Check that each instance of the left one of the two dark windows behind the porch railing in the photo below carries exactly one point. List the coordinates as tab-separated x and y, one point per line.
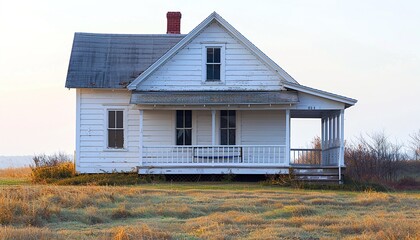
183	127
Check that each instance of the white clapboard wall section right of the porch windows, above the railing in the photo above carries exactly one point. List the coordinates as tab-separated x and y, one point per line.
263	127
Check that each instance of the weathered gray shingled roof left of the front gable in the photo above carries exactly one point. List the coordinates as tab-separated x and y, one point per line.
114	60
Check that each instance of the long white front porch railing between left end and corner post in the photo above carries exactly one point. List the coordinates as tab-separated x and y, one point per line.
215	155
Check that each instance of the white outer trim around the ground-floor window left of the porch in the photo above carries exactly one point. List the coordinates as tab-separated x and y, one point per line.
125	127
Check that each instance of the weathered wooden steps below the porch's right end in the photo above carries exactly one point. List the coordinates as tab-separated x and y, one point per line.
316	174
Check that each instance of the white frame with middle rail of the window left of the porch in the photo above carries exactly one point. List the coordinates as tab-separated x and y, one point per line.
106	129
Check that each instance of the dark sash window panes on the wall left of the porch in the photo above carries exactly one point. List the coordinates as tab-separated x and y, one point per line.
115	129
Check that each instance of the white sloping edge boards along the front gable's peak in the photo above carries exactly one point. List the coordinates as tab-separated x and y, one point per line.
195	32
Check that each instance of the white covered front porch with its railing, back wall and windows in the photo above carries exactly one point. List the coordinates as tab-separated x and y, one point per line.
203	138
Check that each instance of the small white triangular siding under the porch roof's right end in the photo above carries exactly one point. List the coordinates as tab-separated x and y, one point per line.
307	101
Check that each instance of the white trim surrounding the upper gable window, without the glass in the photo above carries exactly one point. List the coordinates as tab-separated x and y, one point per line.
204	47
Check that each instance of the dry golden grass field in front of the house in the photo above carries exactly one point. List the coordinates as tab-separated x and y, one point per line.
204	211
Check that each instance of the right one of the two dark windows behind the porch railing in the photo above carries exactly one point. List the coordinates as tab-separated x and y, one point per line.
227	127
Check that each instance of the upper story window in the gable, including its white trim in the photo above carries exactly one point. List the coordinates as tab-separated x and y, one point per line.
213	63
